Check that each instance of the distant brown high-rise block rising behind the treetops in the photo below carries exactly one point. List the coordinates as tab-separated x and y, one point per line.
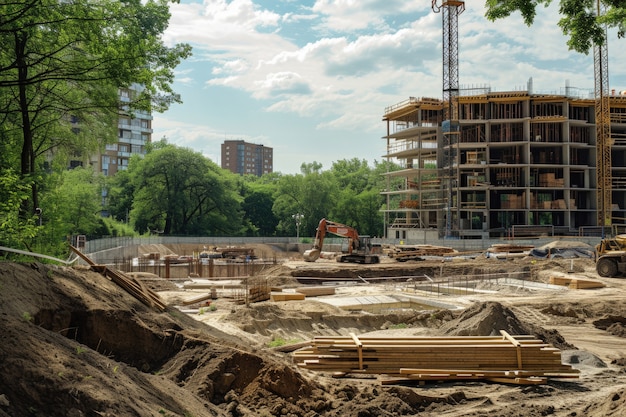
242	157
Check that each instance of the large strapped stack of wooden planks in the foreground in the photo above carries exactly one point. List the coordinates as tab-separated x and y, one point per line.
515	359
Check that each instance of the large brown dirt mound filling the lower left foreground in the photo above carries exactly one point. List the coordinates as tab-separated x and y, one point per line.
78	345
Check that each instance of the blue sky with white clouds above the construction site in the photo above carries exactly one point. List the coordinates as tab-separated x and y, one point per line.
312	79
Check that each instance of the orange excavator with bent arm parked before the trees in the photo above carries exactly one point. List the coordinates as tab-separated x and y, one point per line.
359	247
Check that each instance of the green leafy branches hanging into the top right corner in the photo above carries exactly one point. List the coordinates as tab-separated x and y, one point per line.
579	18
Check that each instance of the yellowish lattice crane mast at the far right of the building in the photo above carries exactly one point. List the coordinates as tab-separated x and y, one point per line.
603	129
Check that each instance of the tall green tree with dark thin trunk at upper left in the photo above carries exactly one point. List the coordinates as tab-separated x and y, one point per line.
61	62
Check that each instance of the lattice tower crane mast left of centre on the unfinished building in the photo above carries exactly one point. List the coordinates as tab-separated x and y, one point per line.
450	11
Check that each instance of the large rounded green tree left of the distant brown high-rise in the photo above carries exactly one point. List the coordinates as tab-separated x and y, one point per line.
179	191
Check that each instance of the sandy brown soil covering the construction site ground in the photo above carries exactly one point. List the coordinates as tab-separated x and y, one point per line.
75	344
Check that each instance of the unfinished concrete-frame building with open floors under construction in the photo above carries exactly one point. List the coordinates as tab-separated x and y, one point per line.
515	164
